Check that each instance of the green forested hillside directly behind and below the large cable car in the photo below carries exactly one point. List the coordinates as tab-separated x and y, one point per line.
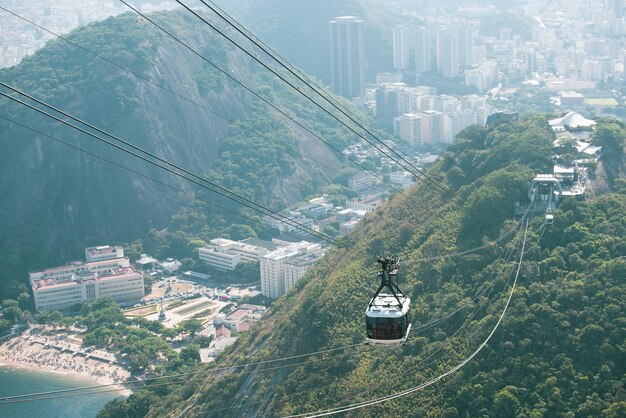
558	352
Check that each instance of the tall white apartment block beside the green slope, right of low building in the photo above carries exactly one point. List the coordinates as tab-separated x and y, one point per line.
280	270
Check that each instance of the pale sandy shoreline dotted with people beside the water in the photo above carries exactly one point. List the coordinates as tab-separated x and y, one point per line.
23	352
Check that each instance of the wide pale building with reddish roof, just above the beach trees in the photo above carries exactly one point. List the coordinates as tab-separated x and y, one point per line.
62	287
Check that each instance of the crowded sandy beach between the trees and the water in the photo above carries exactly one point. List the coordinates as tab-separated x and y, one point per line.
42	353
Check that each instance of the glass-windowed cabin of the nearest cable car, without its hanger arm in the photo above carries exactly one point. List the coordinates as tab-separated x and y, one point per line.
388	322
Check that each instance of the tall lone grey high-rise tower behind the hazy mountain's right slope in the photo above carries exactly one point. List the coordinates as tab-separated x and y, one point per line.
346	56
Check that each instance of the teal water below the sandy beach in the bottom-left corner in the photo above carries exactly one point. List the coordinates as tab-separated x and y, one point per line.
21	381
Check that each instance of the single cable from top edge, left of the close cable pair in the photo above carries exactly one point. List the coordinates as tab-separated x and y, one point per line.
251	91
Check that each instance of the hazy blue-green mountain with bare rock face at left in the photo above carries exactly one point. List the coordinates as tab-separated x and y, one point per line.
59	200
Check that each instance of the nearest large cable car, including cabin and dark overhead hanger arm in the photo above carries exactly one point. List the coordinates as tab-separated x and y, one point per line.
388	318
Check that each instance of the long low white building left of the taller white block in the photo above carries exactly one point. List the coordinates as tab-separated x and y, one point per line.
225	254
